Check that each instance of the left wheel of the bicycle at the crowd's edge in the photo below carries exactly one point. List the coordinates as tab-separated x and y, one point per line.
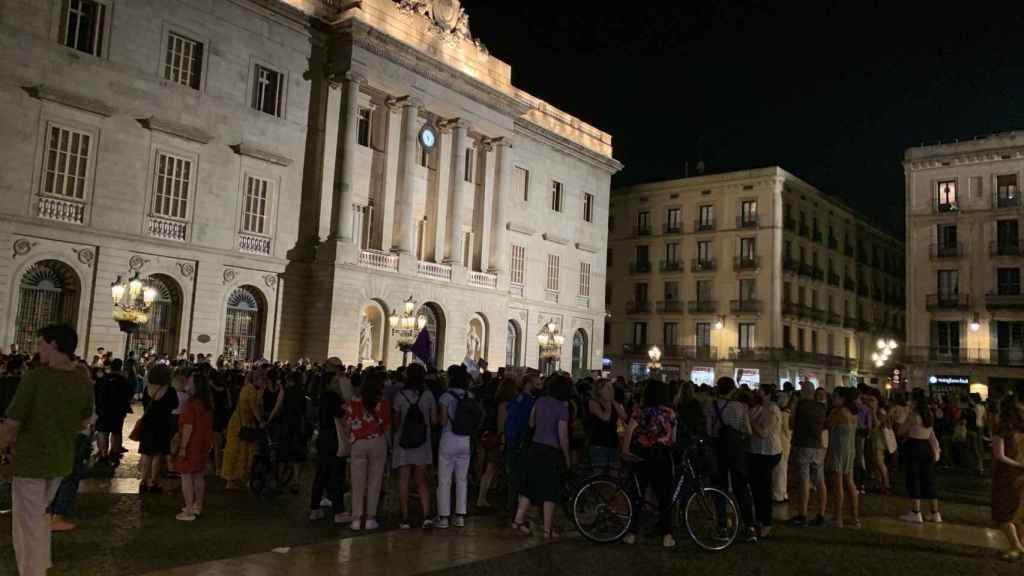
603	511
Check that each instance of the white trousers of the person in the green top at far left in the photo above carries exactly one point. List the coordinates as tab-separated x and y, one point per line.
32	527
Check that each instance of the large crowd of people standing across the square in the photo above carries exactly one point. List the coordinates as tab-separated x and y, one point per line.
354	426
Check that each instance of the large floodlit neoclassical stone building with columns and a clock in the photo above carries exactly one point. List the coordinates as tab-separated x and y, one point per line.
286	174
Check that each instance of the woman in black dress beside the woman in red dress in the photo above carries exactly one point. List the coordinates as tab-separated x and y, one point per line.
157	427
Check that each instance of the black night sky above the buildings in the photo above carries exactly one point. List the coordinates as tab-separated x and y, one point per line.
833	92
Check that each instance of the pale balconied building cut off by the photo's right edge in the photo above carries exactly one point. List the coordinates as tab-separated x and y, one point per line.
964	263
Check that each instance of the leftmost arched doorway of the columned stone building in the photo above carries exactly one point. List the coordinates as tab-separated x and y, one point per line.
49	295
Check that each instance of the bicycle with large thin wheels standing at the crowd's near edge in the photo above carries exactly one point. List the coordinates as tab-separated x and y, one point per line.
605	508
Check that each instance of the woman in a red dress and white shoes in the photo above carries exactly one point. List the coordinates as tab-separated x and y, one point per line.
196	426
